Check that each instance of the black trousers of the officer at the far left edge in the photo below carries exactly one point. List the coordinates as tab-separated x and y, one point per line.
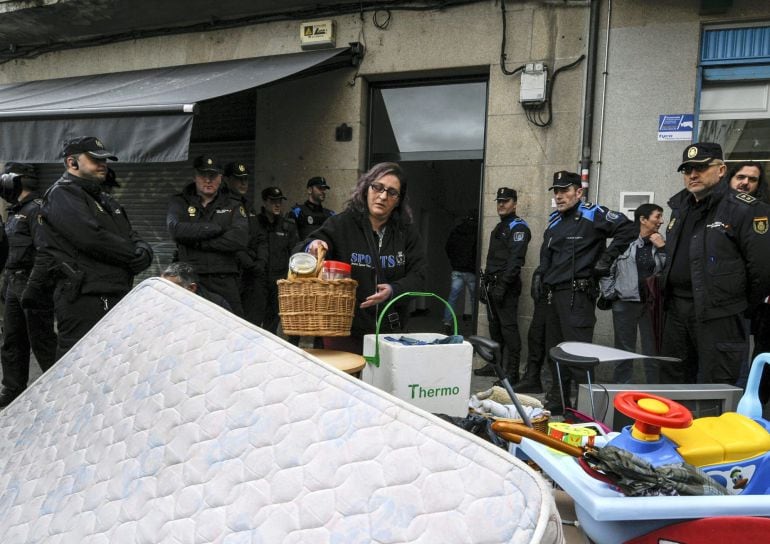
24	330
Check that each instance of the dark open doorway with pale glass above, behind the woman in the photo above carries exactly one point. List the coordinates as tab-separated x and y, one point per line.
436	131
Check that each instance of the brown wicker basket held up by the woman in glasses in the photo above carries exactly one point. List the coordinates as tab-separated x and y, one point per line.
316	307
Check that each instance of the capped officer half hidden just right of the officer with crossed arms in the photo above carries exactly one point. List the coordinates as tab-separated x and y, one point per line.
253	260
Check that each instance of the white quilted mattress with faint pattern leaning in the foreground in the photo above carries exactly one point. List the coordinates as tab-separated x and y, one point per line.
175	421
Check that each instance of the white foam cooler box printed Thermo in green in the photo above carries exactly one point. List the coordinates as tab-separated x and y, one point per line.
434	377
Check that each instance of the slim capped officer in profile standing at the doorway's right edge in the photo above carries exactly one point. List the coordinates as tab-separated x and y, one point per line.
507	250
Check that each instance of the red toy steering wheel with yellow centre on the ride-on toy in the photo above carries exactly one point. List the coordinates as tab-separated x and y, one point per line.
652	412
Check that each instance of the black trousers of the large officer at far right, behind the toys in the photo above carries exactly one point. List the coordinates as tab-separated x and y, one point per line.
711	351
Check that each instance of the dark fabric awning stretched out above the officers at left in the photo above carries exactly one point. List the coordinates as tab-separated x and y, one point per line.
143	115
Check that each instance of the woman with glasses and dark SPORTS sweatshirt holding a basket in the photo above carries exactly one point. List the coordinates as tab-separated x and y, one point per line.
375	234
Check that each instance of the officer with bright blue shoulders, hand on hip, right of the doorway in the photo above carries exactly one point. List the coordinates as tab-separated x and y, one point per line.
573	254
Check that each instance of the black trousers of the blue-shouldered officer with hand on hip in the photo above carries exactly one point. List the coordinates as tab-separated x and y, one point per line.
570	317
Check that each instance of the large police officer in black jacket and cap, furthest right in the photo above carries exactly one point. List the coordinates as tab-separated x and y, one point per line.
718	257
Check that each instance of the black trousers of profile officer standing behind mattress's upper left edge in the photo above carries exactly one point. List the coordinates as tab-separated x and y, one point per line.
77	314
